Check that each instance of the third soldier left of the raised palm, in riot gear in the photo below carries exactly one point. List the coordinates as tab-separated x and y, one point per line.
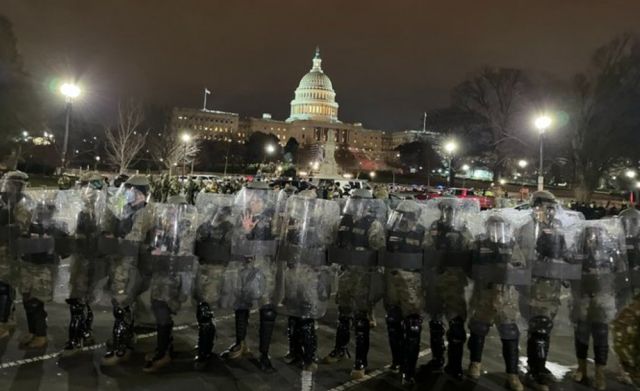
125	228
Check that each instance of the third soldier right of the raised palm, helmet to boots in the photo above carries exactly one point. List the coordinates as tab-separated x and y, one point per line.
404	296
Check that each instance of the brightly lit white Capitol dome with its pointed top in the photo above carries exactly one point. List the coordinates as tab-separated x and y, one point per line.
315	98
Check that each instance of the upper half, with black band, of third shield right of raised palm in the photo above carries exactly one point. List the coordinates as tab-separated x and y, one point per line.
406	231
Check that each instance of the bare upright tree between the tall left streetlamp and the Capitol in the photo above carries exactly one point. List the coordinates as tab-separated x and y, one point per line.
126	139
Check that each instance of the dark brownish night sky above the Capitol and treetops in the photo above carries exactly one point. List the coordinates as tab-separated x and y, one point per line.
388	62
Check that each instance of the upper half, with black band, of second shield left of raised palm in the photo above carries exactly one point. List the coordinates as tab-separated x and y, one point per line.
171	245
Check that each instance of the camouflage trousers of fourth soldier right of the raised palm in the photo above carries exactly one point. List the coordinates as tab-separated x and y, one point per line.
445	294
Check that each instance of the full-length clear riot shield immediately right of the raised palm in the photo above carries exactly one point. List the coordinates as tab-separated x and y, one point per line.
307	233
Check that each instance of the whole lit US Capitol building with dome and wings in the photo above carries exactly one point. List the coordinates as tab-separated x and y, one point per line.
314	113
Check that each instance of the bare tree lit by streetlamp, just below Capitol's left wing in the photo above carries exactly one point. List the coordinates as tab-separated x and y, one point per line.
171	150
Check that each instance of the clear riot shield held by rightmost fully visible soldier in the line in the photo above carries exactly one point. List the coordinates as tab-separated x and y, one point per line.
599	246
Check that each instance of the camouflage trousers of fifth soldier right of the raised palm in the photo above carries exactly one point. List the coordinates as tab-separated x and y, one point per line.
494	304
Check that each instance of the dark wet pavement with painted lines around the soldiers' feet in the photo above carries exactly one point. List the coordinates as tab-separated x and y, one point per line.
46	370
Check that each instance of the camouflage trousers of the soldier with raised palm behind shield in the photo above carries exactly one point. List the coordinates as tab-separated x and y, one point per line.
249	283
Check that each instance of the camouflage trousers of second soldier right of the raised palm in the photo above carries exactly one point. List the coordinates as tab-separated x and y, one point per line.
359	289
